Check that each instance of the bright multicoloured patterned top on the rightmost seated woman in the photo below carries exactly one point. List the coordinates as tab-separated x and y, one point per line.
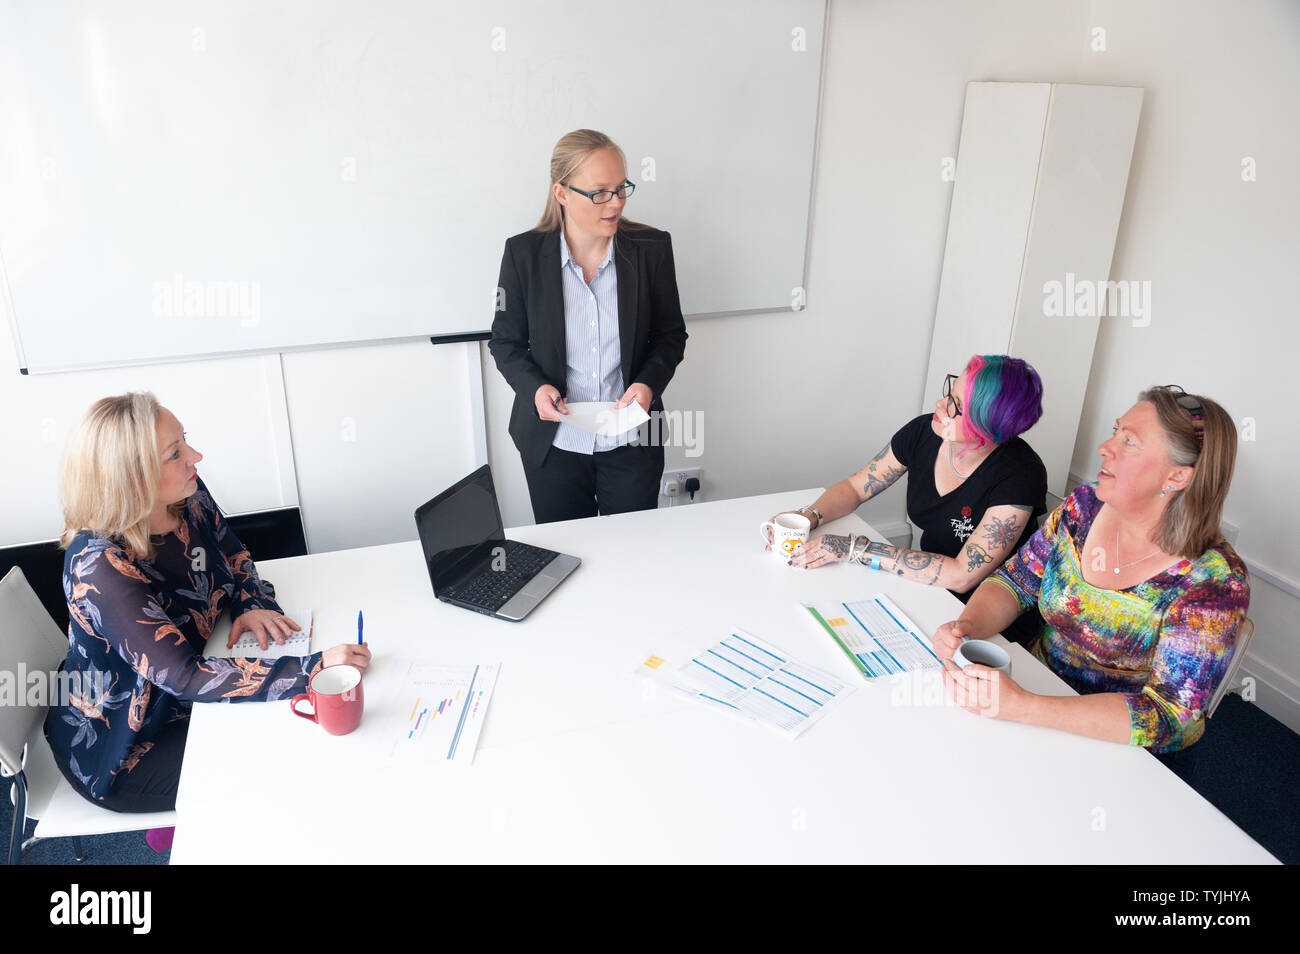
1164	644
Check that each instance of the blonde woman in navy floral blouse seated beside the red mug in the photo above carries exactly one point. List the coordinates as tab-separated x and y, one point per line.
150	567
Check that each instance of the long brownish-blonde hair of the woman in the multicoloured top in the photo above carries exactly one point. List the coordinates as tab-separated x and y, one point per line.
1190	524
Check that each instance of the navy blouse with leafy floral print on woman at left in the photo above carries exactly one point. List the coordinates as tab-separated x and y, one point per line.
137	634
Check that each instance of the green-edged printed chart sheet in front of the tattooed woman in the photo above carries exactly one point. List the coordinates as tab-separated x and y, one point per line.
876	635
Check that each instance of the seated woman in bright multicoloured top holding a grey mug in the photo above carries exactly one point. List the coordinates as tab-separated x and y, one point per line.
1141	595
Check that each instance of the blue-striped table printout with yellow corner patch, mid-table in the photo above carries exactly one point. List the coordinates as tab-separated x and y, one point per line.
747	678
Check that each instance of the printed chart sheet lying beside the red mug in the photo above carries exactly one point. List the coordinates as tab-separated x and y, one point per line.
441	712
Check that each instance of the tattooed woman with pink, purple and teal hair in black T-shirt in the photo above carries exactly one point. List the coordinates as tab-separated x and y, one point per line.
976	489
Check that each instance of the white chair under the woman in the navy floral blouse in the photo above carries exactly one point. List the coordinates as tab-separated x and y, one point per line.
29	638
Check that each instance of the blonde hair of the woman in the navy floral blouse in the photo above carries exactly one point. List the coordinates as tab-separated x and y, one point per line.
111	474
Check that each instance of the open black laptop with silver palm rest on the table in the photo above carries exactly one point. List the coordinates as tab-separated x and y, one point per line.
473	565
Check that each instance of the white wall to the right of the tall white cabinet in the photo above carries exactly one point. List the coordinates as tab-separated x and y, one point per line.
1220	253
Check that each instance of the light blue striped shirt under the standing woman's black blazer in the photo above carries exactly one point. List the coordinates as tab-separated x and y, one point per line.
593	352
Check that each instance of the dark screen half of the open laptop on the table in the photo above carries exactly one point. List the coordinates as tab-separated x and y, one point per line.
458	527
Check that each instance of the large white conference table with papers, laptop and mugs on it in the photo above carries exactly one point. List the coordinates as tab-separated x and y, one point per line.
584	761
